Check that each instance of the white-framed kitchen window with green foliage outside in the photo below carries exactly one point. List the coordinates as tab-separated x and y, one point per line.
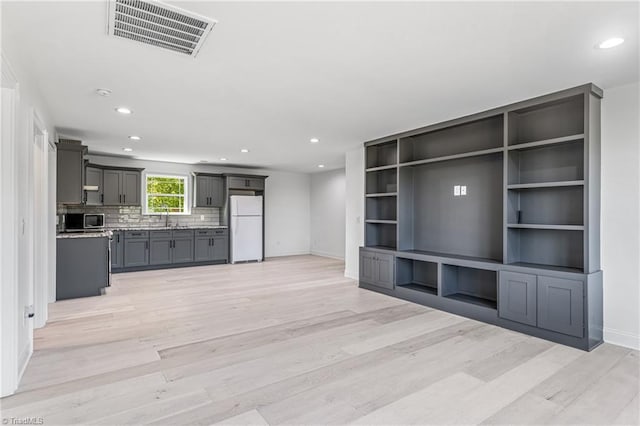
166	194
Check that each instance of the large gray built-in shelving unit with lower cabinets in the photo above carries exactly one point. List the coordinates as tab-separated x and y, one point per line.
521	248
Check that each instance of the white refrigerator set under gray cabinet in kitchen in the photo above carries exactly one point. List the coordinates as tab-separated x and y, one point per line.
246	228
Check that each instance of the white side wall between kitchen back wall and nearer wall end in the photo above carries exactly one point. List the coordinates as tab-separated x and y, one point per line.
328	213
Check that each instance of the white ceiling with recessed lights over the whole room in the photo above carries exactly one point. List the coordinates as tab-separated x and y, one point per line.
273	75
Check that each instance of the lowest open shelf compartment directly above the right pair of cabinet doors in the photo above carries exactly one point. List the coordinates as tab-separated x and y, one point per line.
553	248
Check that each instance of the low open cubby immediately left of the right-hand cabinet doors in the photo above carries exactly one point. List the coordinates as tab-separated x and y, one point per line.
470	285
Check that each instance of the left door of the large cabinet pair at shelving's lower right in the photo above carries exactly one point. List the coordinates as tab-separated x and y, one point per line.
517	294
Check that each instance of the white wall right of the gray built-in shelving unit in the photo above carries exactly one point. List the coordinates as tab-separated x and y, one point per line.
621	215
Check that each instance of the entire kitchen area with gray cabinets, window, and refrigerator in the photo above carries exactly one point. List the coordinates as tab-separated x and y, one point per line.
113	219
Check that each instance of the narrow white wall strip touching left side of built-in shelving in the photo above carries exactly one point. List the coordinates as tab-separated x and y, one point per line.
354	210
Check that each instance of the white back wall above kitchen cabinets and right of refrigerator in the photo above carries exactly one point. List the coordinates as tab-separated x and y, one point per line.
287	206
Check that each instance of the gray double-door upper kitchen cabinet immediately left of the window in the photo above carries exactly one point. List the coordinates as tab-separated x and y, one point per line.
121	187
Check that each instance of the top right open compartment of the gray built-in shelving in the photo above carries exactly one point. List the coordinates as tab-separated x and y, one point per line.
549	120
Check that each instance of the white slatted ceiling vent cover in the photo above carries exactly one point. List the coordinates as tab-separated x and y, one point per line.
159	24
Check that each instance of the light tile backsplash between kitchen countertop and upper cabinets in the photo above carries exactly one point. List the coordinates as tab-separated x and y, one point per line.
117	217
